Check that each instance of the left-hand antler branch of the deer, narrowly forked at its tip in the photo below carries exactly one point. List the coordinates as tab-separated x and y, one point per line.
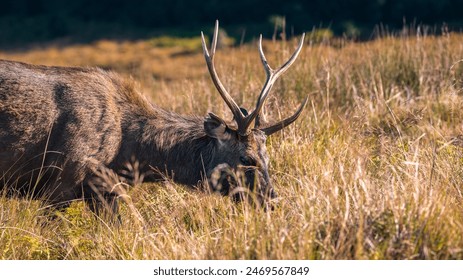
209	56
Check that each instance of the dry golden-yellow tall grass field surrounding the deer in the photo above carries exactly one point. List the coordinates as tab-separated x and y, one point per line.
373	169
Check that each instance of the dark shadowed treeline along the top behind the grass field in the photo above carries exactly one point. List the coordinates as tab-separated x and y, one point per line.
29	21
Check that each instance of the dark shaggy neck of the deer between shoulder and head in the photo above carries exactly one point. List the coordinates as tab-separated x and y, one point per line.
172	145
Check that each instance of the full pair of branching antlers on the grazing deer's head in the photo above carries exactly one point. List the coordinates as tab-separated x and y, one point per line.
244	121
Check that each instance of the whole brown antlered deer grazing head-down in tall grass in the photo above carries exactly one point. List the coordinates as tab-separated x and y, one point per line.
60	127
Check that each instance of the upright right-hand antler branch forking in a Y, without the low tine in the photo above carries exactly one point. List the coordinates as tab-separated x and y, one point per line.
272	76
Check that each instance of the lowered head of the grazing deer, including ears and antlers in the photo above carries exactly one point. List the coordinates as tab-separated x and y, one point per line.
241	144
